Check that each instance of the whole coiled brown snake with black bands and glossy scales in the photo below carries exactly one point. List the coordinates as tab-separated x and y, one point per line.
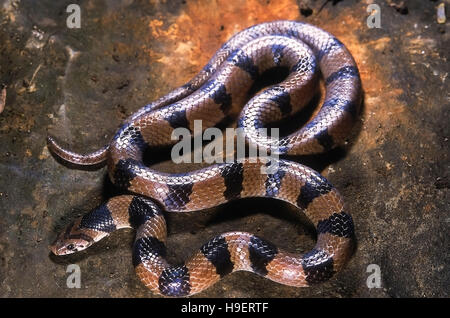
310	56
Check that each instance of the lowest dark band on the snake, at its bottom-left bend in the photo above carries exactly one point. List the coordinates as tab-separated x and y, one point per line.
174	281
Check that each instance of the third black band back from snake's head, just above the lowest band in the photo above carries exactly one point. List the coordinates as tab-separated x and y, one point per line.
146	249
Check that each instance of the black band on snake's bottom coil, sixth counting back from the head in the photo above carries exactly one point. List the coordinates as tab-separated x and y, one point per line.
261	253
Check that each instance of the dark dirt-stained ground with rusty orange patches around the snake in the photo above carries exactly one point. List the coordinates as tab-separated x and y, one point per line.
79	84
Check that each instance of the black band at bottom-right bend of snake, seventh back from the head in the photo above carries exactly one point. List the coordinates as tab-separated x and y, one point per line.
318	266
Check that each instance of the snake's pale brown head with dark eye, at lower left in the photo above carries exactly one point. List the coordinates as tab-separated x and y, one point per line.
72	240
